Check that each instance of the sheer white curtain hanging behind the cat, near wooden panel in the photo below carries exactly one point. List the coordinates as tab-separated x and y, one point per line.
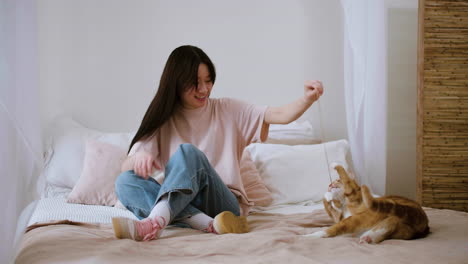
365	88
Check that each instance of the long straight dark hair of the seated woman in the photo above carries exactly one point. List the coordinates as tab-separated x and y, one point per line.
180	74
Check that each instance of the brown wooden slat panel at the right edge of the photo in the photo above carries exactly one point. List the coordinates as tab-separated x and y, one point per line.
443	104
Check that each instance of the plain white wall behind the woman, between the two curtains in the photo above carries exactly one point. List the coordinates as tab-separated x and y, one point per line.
100	61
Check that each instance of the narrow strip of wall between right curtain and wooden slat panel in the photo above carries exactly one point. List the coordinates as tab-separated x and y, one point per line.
402	98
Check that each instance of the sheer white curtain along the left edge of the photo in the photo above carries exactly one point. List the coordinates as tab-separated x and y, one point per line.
20	139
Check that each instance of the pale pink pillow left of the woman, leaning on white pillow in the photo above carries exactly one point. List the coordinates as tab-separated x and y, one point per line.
101	167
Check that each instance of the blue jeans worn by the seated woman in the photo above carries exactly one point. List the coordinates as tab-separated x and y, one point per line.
192	186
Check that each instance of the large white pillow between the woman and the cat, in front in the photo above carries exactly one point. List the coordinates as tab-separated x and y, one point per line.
298	173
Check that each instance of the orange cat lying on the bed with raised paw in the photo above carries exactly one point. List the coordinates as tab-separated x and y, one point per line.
383	218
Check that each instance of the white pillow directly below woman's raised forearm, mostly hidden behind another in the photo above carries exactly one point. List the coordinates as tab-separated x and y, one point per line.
295	133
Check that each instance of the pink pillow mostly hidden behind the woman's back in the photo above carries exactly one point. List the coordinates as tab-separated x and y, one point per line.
255	188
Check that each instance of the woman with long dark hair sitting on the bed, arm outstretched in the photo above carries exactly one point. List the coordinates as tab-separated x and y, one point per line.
198	142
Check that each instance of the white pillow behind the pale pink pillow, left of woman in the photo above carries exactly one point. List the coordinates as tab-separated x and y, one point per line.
65	155
